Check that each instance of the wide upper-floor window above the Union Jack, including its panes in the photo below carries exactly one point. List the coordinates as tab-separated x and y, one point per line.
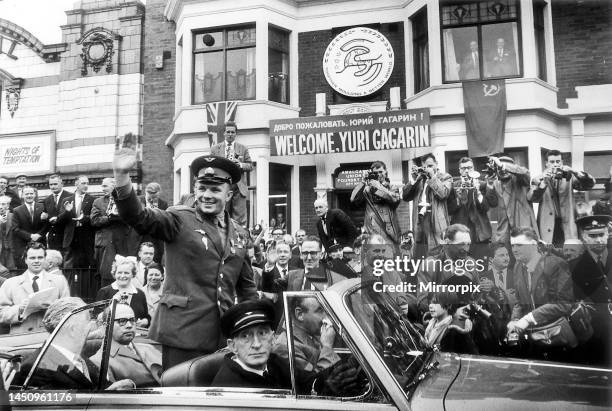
224	65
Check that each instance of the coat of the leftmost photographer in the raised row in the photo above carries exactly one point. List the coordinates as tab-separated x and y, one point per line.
383	205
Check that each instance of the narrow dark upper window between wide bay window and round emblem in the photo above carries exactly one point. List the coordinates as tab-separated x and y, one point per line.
278	65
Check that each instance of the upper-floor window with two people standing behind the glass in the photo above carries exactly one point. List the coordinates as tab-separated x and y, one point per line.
480	40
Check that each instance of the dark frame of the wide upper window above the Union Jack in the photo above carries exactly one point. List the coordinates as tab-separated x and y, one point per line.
195	51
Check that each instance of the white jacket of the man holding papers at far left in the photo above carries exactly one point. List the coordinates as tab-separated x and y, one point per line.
16	289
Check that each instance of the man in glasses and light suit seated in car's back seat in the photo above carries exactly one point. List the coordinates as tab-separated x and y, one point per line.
138	362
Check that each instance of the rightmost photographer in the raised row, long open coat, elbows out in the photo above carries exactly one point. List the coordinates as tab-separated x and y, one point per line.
554	191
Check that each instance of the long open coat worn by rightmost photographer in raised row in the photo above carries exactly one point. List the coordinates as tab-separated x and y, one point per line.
564	191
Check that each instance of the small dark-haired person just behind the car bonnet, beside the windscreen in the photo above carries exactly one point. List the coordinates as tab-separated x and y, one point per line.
450	334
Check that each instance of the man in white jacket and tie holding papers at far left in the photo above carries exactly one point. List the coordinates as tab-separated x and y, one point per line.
15	293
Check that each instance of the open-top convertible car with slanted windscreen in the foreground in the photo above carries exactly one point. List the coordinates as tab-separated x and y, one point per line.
397	371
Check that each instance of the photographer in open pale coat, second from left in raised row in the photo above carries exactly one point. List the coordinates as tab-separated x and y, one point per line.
429	193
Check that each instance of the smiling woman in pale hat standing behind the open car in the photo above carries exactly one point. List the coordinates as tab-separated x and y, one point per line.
124	270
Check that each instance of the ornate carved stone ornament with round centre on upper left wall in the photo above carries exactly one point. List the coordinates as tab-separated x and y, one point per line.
98	50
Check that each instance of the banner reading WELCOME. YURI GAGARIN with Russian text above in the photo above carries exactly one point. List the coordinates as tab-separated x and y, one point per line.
386	130
